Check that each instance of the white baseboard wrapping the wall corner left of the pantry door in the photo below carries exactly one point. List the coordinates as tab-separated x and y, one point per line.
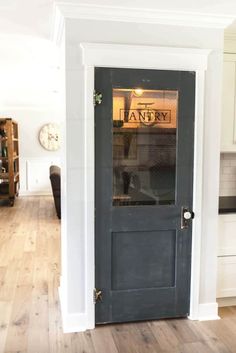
72	322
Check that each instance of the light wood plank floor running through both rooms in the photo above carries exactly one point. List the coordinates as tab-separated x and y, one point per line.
30	320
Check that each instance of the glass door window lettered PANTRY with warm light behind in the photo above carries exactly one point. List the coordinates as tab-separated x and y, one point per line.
144	146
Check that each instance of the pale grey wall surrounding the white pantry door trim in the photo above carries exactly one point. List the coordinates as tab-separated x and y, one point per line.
73	281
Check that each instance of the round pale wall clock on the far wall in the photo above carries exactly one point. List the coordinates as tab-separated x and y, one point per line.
49	136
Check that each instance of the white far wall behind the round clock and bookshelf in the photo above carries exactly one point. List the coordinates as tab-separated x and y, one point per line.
30	93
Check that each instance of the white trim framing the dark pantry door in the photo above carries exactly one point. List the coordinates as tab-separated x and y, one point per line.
144	57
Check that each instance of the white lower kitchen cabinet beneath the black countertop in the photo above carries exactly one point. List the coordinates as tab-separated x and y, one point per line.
226	280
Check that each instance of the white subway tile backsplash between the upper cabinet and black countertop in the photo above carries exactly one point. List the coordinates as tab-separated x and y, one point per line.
228	174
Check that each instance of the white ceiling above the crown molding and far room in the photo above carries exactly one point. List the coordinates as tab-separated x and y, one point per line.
34	17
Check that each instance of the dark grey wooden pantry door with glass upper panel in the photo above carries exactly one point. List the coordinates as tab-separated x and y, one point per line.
144	177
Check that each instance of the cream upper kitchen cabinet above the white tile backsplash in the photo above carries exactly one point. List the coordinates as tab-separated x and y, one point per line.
228	123
